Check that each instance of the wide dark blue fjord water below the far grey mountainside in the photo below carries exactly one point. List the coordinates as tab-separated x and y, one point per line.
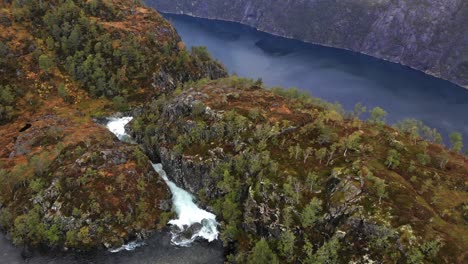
331	74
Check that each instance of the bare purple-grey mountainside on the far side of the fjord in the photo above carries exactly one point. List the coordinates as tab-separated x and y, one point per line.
428	35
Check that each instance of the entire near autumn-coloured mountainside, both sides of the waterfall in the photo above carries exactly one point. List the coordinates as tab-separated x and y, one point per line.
291	178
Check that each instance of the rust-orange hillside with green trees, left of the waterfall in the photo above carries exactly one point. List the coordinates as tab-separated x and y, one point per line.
66	181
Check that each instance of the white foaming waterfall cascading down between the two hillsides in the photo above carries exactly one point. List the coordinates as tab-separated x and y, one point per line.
192	222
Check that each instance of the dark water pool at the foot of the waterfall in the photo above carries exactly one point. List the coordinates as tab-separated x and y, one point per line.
157	246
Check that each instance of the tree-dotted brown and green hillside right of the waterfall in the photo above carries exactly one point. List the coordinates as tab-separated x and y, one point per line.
292	175
